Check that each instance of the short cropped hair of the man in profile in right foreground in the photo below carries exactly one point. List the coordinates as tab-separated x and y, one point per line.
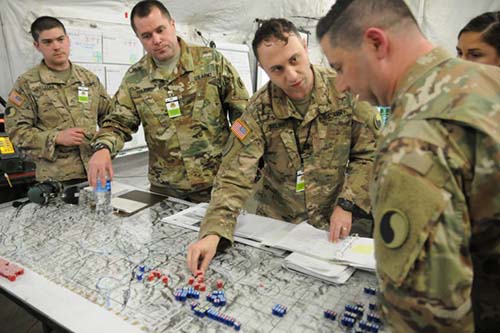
347	20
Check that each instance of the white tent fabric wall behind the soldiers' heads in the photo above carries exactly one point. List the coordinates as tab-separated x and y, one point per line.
230	21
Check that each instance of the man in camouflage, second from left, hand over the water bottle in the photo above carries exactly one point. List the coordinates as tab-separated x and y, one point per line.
183	96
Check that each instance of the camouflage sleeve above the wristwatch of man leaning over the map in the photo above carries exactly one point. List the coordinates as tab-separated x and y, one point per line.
366	125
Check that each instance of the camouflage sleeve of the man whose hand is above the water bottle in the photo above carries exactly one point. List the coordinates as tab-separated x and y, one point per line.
122	121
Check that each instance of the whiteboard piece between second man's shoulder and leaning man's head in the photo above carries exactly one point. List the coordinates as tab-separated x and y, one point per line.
237	54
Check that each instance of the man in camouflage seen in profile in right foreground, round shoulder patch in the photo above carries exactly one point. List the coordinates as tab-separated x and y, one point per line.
435	193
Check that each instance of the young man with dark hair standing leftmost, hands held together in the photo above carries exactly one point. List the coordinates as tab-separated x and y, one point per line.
54	108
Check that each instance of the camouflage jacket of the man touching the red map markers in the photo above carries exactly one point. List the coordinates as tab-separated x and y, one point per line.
334	131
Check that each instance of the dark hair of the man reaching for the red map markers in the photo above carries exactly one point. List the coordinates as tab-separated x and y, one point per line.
273	28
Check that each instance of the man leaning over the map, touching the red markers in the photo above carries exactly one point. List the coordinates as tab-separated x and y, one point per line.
316	146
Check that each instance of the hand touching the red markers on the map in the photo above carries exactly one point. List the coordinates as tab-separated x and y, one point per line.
201	253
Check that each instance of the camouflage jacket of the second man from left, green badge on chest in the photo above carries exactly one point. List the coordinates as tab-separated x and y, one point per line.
185	151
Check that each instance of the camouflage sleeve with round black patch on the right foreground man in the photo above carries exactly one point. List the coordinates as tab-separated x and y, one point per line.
430	163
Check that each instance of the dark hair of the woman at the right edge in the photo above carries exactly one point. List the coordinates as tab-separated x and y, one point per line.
488	24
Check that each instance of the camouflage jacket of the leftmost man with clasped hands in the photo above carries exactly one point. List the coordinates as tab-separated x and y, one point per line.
41	105
